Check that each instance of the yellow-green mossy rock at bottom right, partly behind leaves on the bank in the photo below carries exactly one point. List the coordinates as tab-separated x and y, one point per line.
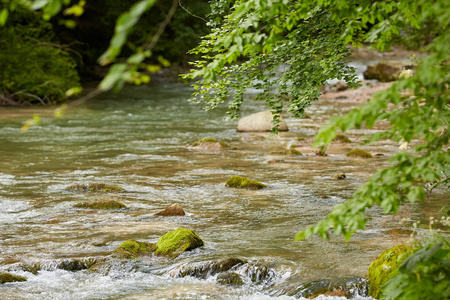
385	267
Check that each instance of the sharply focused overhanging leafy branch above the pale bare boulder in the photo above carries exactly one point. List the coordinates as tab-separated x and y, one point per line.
279	48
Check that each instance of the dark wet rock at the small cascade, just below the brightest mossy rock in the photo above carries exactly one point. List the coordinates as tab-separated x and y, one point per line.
209	268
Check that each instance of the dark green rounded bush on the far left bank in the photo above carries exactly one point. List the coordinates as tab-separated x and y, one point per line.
34	69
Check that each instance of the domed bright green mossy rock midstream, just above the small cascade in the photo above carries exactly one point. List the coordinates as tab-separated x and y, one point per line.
176	242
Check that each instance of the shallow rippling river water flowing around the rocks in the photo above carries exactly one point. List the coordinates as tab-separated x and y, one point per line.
137	139
